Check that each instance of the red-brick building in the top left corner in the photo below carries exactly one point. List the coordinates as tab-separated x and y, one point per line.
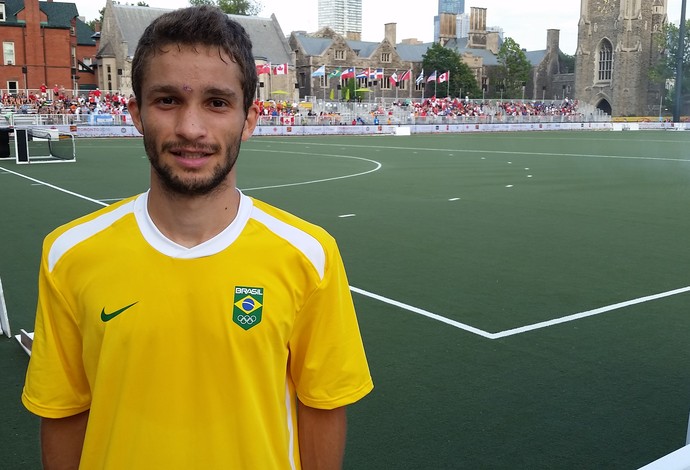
45	43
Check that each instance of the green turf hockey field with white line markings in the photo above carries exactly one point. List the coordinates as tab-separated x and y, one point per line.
523	297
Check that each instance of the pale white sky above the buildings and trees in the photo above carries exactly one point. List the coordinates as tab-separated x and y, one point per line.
526	21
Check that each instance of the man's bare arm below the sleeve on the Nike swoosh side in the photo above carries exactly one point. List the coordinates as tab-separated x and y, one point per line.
62	440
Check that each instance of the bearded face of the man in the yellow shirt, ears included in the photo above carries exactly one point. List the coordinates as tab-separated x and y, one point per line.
192	118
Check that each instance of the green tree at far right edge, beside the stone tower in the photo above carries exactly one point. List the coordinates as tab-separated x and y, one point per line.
664	71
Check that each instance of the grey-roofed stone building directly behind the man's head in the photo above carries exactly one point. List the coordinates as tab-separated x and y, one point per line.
123	25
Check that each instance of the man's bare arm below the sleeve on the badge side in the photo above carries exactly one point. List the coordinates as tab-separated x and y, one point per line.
321	437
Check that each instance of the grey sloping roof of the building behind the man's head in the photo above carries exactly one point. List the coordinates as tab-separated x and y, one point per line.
268	40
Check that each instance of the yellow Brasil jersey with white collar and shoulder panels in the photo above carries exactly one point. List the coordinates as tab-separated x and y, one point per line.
192	358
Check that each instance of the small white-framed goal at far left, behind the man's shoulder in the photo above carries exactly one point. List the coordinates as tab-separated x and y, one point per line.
33	145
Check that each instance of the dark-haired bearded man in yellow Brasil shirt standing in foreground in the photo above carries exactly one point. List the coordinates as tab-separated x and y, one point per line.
192	327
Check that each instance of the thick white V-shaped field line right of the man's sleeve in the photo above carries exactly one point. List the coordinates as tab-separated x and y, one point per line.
522	329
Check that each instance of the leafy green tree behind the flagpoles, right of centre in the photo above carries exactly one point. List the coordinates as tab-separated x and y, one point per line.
462	80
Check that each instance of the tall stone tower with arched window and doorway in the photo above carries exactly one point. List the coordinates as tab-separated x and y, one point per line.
616	49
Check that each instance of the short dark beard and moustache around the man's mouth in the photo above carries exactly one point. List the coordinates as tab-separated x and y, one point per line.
193	185
